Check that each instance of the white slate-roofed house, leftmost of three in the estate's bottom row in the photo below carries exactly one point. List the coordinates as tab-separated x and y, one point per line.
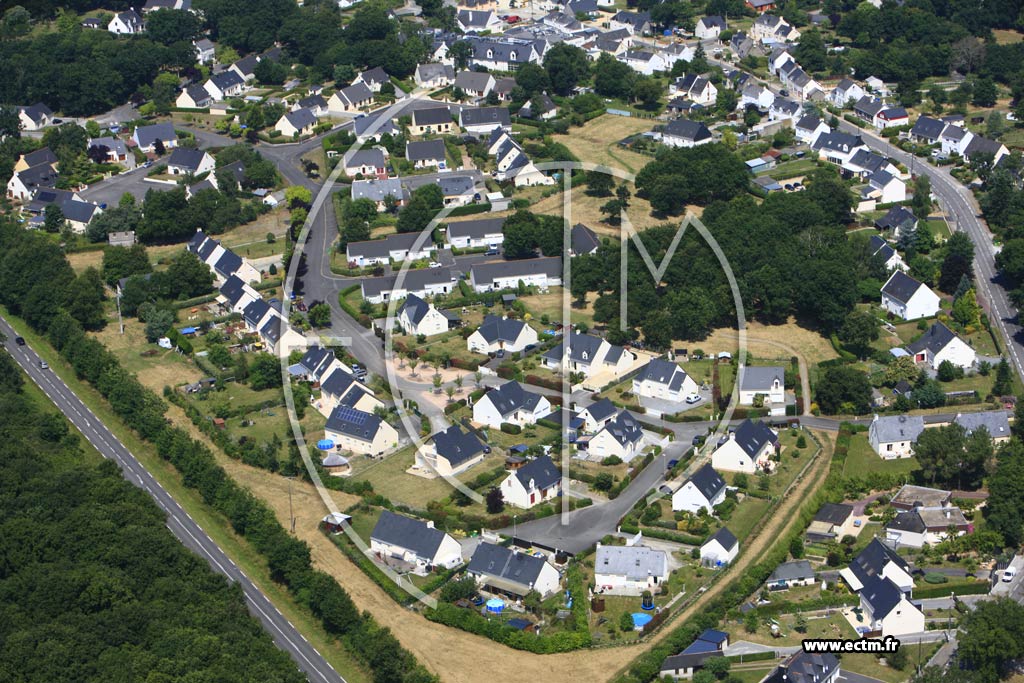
415	542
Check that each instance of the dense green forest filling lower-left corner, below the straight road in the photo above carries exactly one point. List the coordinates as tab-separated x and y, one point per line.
88	594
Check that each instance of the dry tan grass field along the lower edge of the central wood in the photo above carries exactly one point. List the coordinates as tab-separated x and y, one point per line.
767	343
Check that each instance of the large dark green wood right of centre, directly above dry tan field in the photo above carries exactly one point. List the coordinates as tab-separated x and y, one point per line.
802	266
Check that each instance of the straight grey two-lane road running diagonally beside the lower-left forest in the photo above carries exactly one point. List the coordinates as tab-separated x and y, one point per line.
189	533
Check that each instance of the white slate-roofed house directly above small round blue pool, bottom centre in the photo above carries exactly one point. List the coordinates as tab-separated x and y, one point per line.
508	572
